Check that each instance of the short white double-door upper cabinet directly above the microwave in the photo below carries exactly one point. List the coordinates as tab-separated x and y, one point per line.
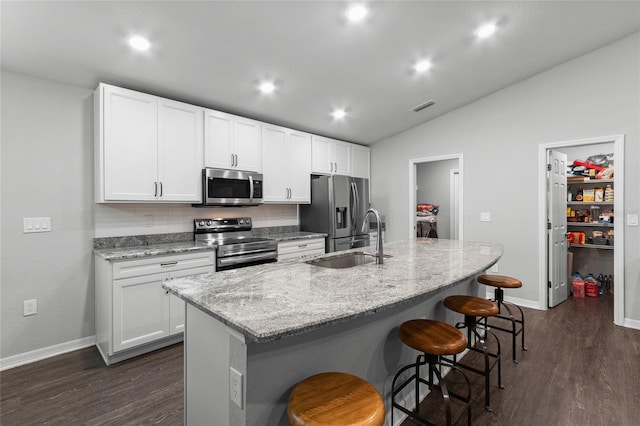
232	142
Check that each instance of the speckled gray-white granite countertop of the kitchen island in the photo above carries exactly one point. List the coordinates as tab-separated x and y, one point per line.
271	301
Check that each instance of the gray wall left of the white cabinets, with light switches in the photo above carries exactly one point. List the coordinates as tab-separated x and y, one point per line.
47	170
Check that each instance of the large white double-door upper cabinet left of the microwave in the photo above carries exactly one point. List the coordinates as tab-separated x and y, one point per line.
146	147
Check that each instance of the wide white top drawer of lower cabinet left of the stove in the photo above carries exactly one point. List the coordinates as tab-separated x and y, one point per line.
160	264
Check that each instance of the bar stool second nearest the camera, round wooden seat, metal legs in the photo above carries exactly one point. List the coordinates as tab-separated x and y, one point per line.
434	339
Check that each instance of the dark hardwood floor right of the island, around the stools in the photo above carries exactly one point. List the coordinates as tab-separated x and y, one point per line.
580	369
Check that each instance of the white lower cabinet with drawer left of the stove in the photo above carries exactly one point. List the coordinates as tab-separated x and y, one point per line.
134	314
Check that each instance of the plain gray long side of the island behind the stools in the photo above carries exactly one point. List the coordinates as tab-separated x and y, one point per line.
367	347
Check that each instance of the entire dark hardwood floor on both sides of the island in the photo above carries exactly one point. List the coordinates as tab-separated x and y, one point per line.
580	369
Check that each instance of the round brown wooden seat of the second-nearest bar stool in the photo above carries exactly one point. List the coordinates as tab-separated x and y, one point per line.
432	337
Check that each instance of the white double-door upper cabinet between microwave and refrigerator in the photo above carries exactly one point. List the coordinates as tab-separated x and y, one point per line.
286	165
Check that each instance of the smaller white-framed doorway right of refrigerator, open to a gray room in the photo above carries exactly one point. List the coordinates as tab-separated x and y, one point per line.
437	181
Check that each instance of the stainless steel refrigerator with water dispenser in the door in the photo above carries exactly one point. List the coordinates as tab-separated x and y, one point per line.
338	205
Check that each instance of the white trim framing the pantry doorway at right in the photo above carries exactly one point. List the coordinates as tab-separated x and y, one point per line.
618	211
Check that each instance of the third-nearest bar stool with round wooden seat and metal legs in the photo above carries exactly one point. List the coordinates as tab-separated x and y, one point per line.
474	308
